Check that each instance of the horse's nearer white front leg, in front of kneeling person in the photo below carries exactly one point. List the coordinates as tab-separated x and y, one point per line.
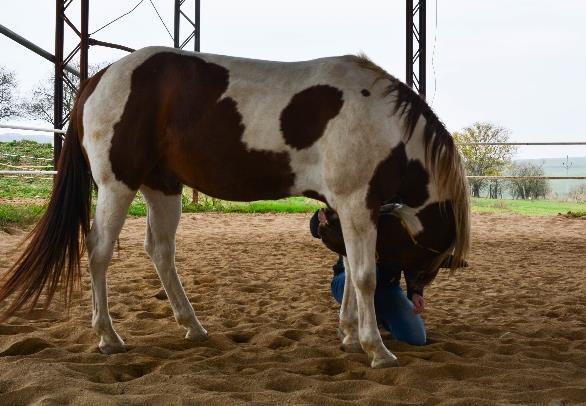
360	237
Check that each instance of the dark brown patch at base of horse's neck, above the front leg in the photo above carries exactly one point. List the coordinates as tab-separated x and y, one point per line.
397	176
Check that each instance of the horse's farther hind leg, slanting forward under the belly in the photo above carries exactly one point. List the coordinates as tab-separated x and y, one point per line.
163	216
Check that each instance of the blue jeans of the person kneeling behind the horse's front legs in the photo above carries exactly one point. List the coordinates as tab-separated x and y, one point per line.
394	311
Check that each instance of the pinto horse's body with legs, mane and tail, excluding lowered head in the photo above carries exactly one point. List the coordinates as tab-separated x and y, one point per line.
338	129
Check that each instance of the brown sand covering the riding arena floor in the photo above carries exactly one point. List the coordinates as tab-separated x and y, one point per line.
510	329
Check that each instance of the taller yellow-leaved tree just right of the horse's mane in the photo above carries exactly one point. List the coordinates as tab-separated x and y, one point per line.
484	160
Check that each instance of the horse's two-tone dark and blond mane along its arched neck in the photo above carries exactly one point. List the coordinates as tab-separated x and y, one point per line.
441	155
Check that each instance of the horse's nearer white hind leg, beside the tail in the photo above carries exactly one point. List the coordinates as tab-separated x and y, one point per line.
111	210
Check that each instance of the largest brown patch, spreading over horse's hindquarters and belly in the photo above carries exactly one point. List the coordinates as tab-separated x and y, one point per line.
191	134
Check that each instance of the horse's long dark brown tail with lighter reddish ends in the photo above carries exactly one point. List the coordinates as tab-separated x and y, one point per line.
56	243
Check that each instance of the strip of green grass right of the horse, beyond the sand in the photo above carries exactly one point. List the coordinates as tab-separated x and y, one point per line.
526	207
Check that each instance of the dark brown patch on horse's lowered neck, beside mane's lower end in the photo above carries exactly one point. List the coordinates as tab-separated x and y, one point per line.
439	229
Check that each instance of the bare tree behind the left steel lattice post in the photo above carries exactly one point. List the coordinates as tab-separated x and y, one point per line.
39	104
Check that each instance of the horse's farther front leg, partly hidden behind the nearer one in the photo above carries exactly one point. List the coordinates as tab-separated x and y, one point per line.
349	313
